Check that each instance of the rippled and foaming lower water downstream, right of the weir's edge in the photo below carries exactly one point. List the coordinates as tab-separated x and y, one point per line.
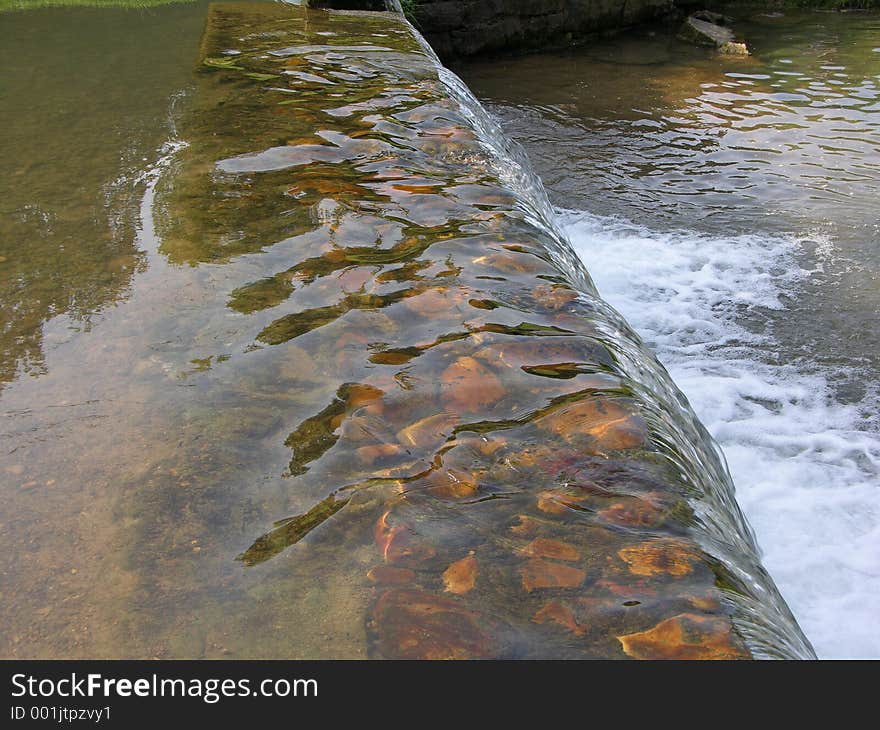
728	207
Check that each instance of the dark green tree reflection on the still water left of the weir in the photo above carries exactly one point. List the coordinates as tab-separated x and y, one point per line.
73	140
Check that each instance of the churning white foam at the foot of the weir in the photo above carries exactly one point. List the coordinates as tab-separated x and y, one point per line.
807	468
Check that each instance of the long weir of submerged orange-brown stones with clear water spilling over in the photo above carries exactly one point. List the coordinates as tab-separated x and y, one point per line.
484	460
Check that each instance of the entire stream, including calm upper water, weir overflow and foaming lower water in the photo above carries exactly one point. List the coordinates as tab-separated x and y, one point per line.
233	313
